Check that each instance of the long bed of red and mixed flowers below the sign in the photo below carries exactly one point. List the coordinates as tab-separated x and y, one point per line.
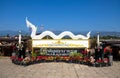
74	58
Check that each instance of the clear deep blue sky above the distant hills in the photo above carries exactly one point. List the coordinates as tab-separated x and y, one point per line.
72	15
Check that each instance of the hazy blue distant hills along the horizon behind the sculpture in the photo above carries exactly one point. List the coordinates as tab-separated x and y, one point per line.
93	33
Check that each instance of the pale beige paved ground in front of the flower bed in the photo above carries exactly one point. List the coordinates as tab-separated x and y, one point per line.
57	70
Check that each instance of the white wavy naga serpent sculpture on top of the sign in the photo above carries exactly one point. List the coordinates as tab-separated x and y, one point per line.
51	34
